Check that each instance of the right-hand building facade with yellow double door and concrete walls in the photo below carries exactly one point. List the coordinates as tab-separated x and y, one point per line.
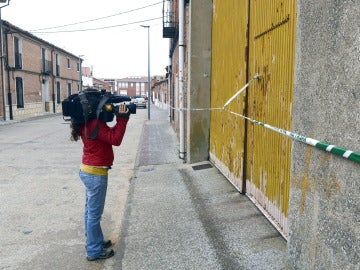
244	77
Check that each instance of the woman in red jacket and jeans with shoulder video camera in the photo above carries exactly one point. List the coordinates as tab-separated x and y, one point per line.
89	111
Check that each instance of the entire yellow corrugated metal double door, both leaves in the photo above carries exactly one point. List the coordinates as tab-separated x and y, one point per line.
267	28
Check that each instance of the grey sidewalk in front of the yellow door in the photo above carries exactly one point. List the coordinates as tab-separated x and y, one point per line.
186	216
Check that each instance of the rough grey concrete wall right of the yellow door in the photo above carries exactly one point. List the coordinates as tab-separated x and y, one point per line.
325	188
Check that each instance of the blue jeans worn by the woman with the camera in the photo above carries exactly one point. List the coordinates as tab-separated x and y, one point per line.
96	186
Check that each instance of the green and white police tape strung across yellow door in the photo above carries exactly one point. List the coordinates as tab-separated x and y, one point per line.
348	154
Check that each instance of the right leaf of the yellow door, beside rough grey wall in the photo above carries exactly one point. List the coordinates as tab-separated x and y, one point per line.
271	54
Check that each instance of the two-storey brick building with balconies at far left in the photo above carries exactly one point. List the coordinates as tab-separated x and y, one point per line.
37	75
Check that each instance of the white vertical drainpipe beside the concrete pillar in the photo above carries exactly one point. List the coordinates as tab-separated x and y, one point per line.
181	79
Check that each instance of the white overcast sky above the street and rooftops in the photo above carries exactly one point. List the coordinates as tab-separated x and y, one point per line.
107	33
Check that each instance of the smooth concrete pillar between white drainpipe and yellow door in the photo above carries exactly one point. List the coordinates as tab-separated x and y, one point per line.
198	89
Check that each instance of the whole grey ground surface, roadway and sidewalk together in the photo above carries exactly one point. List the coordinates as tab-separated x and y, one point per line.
160	212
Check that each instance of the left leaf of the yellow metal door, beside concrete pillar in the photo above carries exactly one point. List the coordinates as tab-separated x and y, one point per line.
229	68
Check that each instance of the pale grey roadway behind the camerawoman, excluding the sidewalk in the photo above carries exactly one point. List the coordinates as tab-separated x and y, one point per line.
42	197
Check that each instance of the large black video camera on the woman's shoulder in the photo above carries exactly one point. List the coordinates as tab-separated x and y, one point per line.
93	104
